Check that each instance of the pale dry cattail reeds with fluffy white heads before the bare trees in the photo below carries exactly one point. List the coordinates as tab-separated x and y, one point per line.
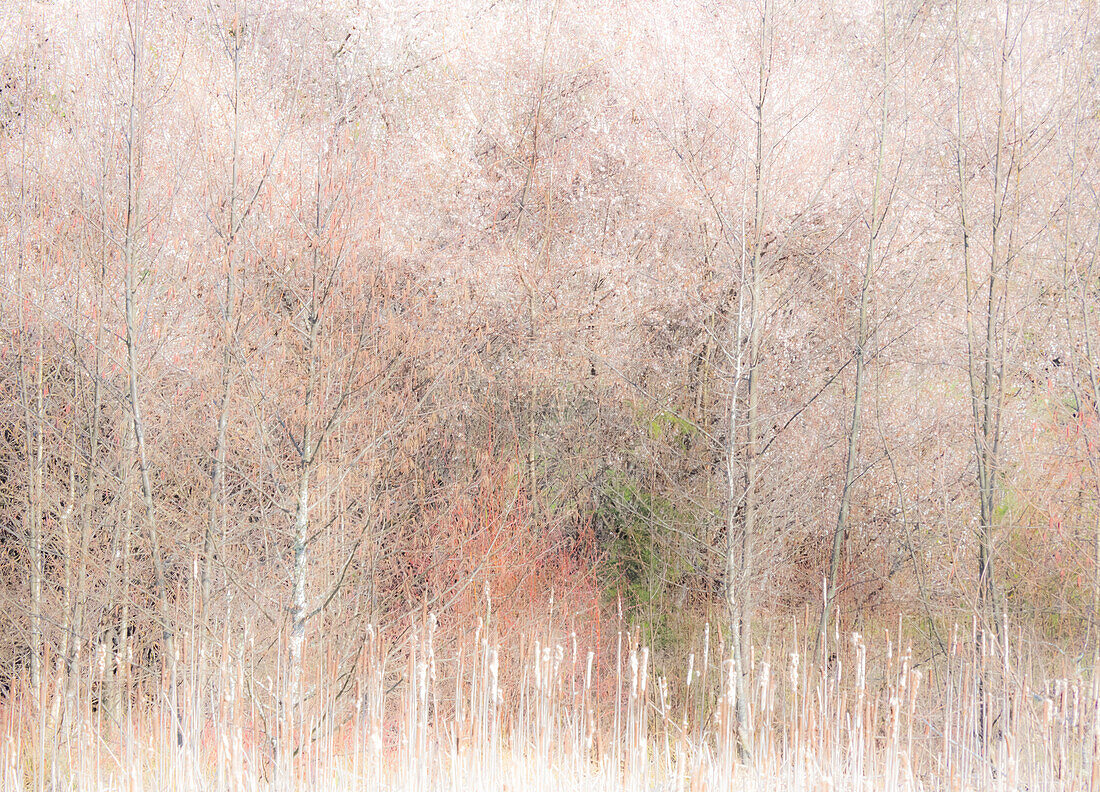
984	714
